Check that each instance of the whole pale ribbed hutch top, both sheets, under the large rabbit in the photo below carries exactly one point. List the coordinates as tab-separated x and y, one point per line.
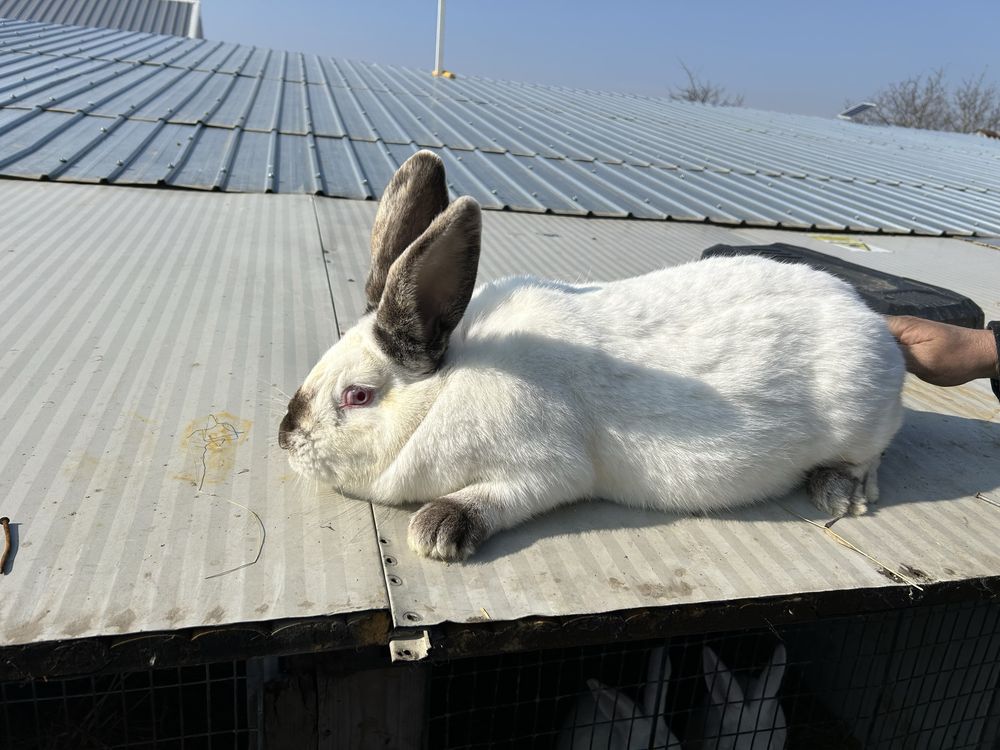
129	341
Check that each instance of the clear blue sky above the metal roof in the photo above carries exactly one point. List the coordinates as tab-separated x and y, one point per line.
805	57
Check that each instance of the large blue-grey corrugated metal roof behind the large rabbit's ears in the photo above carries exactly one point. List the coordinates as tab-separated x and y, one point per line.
120	107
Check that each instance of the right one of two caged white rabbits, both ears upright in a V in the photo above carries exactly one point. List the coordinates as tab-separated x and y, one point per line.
741	715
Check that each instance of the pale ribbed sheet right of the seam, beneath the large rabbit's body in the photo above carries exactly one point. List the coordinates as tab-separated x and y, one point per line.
597	557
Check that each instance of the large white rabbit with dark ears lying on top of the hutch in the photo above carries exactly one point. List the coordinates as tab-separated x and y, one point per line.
701	387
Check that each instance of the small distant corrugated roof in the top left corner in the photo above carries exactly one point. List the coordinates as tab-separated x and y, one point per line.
176	17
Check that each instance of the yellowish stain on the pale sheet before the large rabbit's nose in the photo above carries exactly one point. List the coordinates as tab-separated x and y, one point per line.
209	444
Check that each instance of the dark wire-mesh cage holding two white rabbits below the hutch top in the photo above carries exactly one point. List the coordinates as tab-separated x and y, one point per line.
918	678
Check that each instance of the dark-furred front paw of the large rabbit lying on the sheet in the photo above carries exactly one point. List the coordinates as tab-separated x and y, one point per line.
446	530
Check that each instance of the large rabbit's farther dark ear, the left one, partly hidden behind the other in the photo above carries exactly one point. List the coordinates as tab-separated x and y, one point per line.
417	193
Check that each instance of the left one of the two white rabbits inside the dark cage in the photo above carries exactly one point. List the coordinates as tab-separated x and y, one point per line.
608	719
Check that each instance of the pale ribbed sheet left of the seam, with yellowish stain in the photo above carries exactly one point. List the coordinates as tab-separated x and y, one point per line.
148	342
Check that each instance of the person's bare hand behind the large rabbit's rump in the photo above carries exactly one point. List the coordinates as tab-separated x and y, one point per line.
944	354
